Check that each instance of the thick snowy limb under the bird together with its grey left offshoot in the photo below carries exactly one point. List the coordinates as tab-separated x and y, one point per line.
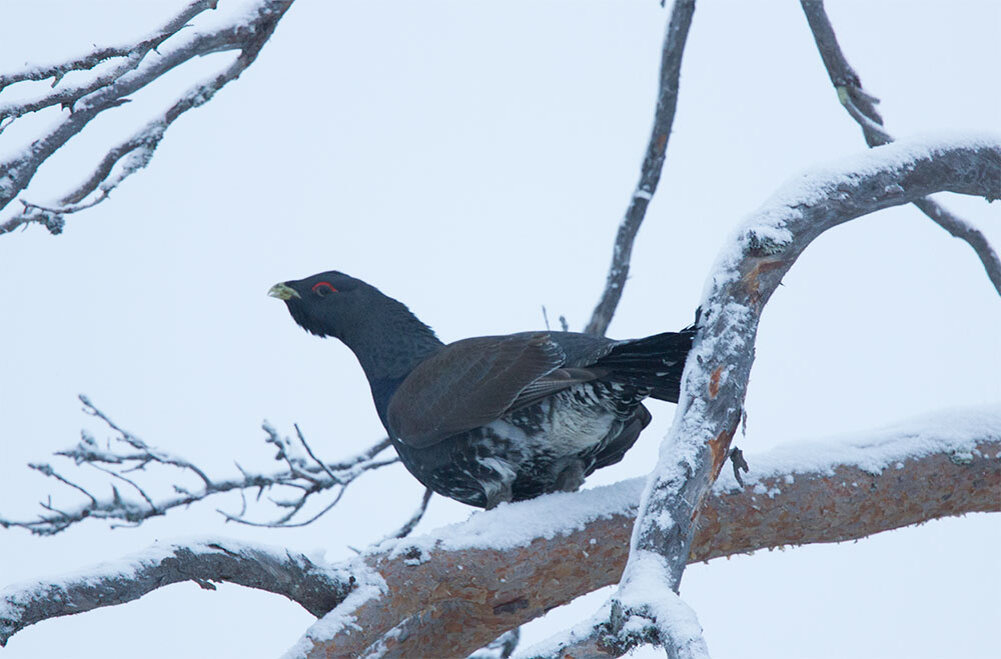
462	586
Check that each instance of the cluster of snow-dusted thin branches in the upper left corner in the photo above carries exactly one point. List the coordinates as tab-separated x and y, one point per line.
114	75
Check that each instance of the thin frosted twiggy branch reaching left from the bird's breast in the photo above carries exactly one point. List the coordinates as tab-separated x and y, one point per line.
304	474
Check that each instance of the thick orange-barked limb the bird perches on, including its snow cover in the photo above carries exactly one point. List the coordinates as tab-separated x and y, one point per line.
458	588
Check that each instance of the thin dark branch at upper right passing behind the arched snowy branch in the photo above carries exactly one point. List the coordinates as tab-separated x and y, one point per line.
861	107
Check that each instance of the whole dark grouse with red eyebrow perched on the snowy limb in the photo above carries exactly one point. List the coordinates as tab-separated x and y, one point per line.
493	419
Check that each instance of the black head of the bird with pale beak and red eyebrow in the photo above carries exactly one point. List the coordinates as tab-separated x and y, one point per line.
330	304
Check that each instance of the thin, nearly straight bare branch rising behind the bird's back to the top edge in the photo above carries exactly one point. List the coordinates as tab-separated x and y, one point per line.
653	165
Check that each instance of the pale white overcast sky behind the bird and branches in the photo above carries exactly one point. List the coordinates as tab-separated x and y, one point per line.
474	161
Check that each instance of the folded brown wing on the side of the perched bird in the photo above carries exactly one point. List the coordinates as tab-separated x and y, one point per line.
472	383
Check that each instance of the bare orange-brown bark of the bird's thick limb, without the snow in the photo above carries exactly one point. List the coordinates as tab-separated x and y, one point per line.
459	600
